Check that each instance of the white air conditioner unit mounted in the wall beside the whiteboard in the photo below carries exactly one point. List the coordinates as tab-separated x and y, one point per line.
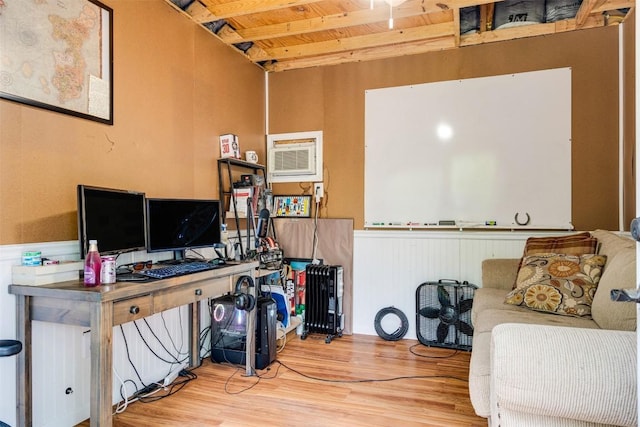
295	157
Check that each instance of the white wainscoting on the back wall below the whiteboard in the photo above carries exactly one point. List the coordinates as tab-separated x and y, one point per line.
390	265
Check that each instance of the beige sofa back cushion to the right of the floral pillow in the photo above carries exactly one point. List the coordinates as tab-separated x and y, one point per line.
619	273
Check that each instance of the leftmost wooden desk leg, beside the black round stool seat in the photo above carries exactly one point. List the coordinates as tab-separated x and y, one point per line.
24	405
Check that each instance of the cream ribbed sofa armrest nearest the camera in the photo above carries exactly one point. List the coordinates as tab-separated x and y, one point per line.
541	372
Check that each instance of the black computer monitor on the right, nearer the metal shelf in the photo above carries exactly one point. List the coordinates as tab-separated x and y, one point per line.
181	224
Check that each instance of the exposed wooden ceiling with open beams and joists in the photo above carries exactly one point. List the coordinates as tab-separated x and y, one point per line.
283	35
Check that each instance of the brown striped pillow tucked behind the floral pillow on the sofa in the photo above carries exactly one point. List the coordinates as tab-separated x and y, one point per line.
572	244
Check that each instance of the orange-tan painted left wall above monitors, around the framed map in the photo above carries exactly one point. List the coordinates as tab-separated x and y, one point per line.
176	89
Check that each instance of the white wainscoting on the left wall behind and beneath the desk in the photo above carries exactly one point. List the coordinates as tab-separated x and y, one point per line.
61	352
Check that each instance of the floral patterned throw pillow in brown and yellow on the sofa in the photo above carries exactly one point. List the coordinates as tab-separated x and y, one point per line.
558	283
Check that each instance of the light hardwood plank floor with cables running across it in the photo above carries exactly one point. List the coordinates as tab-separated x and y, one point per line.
344	383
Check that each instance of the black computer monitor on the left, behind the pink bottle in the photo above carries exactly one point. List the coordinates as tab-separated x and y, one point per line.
115	218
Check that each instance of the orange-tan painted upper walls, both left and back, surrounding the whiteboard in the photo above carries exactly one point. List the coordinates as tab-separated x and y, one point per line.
177	88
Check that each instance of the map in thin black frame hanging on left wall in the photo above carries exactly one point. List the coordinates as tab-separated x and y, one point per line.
58	55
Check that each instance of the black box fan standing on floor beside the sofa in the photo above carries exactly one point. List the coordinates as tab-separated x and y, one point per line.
443	314
